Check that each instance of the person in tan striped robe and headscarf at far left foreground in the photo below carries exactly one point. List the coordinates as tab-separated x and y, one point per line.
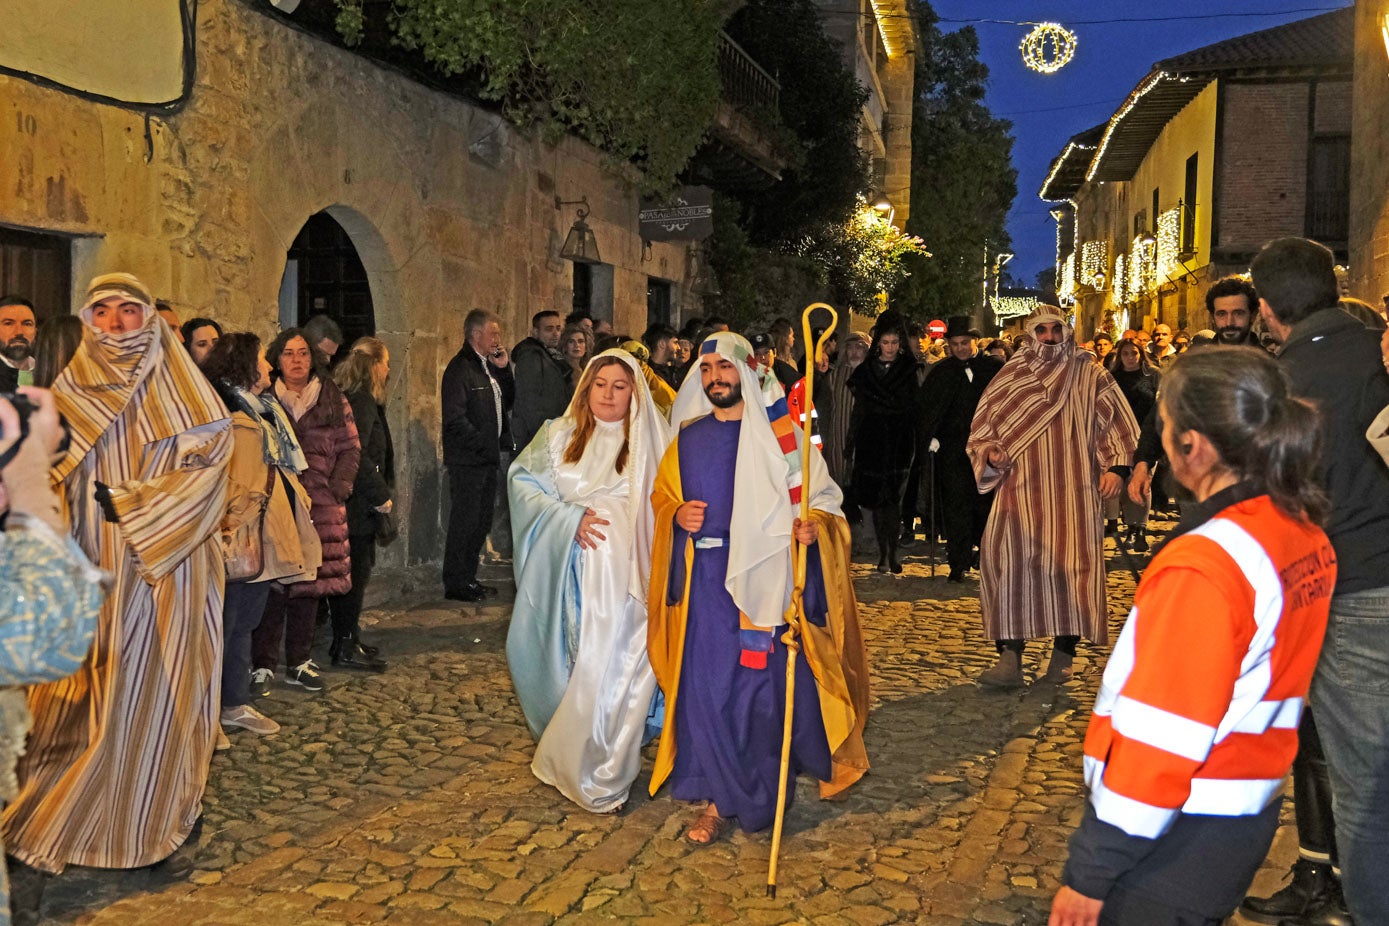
120	750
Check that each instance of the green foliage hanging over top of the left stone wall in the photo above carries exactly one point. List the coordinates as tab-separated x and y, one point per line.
635	78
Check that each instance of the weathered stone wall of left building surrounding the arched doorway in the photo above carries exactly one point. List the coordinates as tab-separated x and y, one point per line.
448	206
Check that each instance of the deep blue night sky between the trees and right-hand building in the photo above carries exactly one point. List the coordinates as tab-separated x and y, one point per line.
1111	60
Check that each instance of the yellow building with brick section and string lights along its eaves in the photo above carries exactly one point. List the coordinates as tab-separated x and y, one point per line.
1213	153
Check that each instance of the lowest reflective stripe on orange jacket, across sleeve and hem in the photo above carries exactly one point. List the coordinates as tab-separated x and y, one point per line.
1209	796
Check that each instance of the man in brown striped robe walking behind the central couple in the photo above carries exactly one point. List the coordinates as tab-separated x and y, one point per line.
1054	437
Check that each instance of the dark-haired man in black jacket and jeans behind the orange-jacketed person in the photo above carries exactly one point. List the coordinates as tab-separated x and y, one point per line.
1334	362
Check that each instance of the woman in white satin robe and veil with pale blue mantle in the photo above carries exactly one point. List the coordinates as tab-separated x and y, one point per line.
581	520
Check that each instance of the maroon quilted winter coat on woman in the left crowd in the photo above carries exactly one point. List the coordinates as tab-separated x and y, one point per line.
333	452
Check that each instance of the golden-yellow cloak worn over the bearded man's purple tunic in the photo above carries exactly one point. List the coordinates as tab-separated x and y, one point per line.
835	652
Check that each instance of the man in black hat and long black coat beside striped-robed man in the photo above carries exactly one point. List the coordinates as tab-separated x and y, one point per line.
949	398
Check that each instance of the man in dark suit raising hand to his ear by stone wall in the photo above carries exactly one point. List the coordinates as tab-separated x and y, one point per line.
476	396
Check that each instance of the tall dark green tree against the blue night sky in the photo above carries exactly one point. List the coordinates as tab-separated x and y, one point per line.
963	183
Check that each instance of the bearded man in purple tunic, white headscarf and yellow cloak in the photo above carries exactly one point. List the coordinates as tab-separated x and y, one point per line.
722	584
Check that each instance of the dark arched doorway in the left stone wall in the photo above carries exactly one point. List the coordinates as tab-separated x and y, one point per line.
324	276
